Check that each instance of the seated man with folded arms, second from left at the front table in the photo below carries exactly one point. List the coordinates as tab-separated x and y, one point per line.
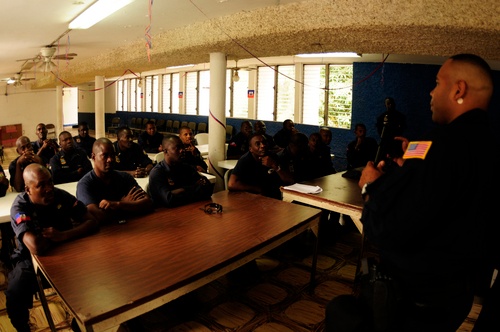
110	195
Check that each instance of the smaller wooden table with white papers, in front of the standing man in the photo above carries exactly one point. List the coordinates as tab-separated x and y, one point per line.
339	195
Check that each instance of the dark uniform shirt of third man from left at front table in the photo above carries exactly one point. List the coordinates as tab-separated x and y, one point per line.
163	179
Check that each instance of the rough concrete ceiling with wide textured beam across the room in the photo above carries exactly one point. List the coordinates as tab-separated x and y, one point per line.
187	31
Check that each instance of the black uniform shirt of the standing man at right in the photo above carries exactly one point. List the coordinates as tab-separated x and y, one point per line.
433	219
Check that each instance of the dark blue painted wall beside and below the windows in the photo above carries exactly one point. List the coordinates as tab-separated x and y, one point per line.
408	84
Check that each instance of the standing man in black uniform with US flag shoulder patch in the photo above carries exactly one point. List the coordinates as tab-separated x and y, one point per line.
433	218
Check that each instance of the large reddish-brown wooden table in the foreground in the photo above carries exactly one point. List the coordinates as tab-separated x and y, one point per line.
128	269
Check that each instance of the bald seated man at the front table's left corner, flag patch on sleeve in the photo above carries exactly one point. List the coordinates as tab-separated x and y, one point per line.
41	217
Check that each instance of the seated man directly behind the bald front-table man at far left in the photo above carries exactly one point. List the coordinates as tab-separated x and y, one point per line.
26	156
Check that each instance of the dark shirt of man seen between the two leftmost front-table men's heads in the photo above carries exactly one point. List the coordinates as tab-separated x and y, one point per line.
65	165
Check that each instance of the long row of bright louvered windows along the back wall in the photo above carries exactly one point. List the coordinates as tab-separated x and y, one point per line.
326	94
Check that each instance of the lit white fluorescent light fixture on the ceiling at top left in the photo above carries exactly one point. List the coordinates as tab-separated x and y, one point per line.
97	12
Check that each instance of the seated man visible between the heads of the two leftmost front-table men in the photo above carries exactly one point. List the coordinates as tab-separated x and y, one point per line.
70	163
